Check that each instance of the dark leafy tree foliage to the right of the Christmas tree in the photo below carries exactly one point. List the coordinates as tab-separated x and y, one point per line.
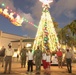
67	34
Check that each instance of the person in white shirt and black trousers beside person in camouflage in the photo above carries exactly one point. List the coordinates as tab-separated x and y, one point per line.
30	61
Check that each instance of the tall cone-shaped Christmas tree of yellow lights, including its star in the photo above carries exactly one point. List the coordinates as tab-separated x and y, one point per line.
46	37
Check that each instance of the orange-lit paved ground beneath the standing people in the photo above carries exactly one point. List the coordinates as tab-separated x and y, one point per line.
17	70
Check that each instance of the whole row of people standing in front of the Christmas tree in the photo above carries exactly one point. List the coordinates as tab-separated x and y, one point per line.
37	57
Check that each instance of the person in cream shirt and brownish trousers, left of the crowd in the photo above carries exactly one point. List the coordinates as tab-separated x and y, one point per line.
8	58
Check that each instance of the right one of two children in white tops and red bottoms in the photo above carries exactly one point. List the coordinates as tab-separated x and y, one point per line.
48	61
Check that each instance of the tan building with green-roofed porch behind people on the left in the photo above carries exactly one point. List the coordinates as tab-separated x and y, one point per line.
18	42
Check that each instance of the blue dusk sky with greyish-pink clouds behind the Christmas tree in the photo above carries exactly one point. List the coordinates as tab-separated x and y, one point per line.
63	12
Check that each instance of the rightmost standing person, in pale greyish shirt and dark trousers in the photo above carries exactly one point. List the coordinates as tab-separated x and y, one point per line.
69	58
